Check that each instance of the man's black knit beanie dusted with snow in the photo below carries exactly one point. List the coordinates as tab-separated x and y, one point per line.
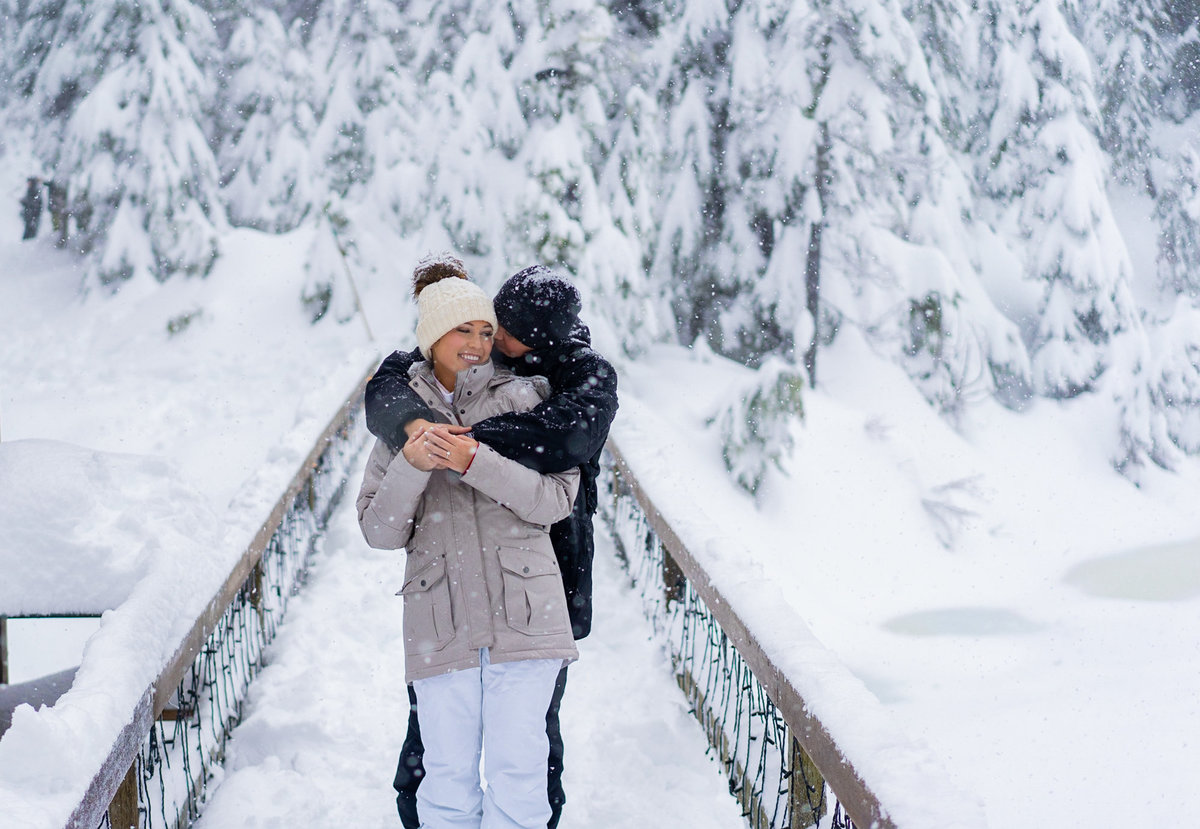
538	307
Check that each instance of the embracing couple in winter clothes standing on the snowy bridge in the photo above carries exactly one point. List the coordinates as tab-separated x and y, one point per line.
484	472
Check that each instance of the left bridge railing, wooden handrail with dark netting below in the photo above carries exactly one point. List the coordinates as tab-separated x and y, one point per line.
159	770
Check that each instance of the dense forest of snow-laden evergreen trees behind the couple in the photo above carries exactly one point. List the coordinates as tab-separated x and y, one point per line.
1003	197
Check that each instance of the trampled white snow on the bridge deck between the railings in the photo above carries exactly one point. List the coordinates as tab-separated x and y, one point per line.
326	719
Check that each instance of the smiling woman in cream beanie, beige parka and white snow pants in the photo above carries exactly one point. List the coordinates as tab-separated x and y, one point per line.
487	628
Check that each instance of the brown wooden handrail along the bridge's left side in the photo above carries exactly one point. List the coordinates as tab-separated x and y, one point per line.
157	699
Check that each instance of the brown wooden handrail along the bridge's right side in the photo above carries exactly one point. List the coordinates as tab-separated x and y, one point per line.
856	797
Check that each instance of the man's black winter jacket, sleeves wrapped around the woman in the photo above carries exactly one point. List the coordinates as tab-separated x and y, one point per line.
568	430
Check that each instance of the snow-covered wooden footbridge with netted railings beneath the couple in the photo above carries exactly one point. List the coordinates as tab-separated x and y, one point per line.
676	716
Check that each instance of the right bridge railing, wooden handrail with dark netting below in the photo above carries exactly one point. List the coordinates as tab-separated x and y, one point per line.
769	760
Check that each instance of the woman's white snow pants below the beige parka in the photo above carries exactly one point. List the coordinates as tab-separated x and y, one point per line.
499	711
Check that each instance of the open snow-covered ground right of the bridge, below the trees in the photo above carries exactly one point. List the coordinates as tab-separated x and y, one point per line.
1042	653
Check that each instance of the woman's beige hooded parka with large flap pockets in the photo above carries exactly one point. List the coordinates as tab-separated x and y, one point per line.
481	570
